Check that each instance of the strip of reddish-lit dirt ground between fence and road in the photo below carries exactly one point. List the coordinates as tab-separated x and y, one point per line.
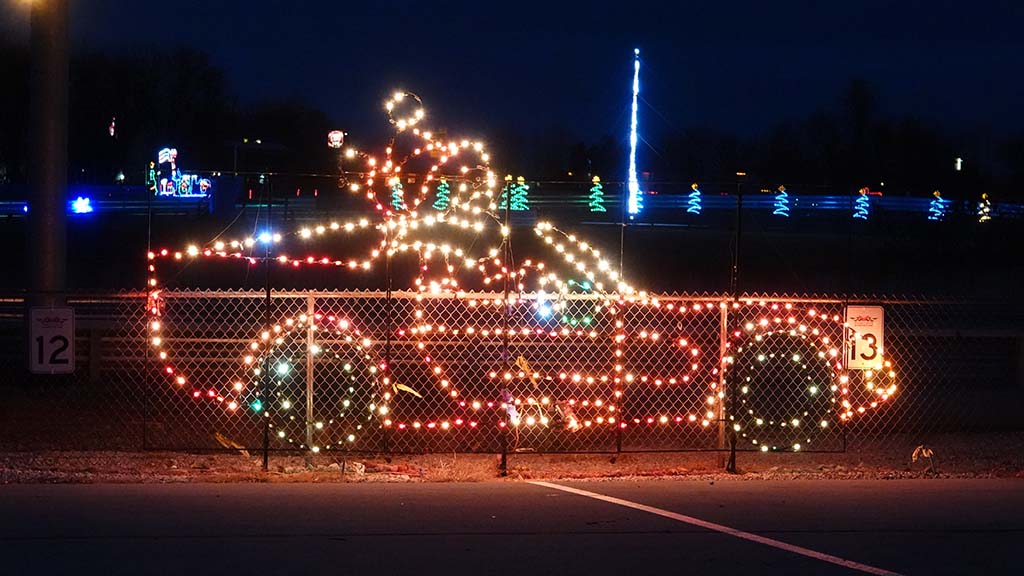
953	457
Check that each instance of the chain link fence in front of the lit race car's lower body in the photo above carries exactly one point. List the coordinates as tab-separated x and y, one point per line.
412	374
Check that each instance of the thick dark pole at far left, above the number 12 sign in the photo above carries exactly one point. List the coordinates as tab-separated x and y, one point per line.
49	173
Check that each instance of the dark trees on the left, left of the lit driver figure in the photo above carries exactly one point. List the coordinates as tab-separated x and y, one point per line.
156	99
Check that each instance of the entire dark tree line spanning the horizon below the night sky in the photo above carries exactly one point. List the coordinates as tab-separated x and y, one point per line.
180	98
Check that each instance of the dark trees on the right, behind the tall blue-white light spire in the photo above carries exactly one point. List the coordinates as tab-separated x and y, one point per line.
852	147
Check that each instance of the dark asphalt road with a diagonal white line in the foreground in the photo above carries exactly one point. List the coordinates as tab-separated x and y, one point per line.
656	527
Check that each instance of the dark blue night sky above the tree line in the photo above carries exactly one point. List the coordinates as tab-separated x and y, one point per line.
733	66
